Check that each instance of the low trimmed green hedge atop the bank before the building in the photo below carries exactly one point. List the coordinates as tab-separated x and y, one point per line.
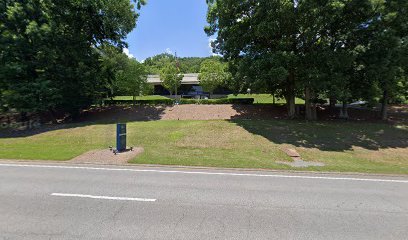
246	101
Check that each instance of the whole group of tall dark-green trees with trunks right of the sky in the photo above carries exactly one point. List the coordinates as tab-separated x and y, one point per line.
342	50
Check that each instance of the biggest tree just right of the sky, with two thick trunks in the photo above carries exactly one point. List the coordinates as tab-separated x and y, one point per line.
280	43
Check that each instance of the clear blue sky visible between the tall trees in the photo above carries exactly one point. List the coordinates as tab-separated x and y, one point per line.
170	26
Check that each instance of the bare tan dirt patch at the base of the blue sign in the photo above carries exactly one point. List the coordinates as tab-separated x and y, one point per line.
106	156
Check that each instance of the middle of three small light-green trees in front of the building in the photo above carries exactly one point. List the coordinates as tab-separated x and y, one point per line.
171	78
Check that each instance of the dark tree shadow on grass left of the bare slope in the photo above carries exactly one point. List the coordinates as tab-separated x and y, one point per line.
107	115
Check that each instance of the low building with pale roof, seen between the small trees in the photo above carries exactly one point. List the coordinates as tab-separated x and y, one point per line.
190	84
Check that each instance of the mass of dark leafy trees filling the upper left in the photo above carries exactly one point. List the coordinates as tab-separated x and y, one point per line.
60	55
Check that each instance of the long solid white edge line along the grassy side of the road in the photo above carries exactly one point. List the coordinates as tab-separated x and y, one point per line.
208	173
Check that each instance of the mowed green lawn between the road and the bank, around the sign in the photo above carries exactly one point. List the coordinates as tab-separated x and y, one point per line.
342	146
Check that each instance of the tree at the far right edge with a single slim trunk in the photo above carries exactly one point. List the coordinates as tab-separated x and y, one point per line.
386	55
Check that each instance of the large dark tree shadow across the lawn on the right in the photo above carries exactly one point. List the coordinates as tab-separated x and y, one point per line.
328	136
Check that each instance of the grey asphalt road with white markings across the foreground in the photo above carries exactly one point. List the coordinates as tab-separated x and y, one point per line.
100	202
